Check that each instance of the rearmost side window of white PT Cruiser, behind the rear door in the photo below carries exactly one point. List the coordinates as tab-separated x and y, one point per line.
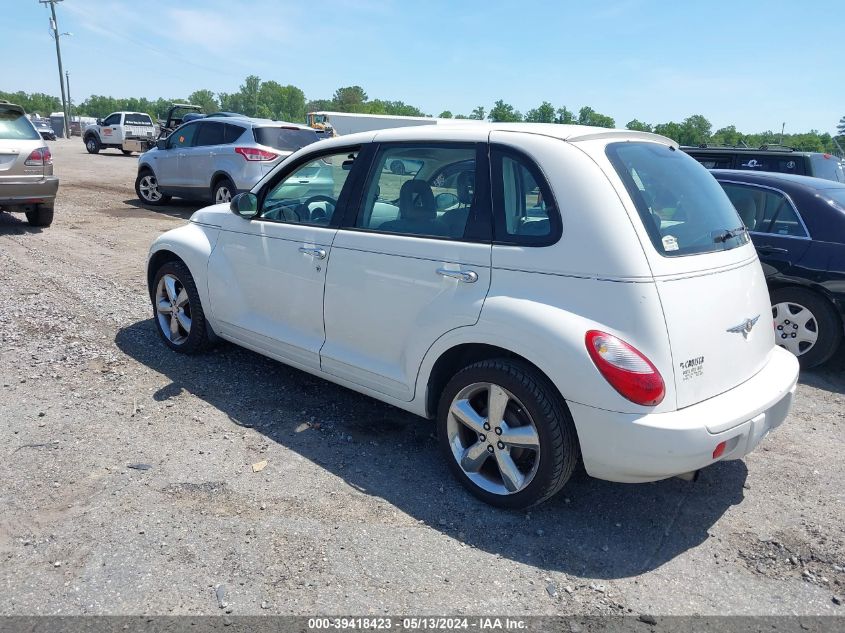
525	211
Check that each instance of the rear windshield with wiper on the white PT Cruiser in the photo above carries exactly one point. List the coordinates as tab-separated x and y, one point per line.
683	208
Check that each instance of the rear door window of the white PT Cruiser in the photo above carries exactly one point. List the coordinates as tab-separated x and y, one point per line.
426	190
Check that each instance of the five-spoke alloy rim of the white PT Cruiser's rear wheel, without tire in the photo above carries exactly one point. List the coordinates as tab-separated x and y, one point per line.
493	438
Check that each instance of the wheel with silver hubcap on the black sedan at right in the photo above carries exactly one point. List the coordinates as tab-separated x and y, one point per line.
806	324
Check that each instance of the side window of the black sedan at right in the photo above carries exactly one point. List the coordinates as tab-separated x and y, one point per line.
765	210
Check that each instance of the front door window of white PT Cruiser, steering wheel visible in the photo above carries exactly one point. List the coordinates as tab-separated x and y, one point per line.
309	194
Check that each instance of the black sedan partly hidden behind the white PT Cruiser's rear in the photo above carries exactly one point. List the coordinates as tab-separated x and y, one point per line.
797	224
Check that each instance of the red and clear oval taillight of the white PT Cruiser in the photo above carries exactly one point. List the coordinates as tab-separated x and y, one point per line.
625	368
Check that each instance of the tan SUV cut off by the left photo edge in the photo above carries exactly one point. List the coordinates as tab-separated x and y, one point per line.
27	183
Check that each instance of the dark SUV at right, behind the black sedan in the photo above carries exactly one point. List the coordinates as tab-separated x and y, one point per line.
770	158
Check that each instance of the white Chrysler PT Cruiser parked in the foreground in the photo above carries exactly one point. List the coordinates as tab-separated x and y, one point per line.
520	287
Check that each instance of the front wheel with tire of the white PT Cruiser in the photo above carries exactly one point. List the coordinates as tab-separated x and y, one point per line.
177	309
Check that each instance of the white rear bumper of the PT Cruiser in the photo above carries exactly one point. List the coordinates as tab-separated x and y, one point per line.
637	448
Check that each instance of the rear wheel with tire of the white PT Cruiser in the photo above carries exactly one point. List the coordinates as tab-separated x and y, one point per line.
506	433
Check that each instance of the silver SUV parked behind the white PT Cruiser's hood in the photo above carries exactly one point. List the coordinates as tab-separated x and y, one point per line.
214	158
